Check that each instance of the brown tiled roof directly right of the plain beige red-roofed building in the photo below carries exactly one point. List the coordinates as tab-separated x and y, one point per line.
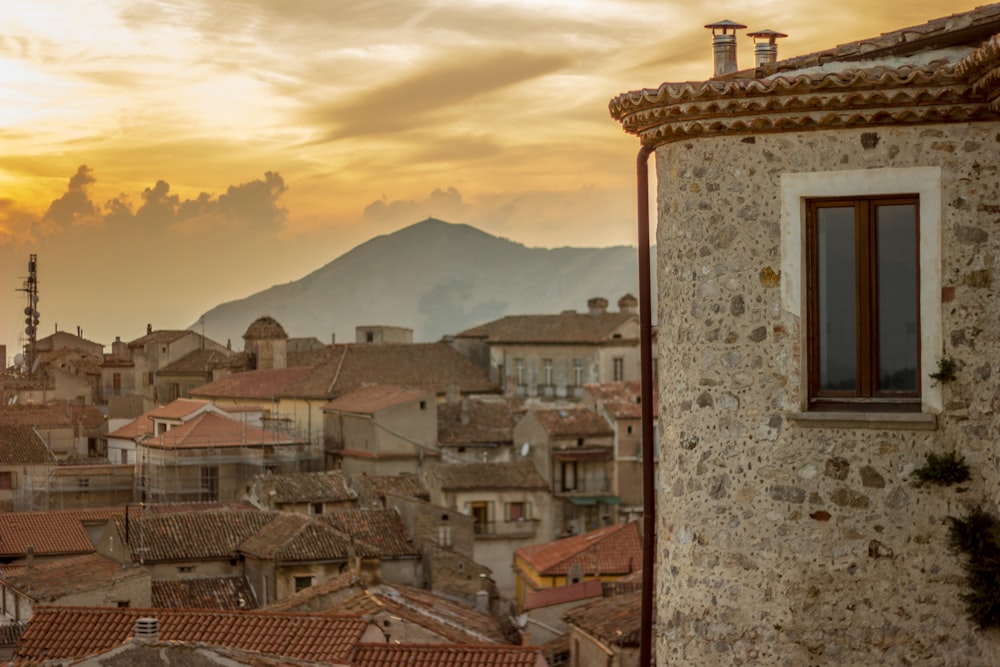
478	422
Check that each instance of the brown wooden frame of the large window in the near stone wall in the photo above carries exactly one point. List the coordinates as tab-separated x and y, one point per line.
867	395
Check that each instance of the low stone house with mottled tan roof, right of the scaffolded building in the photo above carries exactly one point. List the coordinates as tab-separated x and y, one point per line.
308	493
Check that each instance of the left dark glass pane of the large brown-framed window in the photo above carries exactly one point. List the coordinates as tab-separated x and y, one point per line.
836	300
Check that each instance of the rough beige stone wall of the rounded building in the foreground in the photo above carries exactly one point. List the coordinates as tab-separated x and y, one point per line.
786	545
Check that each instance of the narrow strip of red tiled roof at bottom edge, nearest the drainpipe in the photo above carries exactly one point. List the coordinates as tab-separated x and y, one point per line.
444	655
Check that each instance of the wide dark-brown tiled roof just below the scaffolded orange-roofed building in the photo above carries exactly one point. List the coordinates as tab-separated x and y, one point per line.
187	536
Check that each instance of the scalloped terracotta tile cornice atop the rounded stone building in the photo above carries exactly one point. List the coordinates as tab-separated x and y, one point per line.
862	96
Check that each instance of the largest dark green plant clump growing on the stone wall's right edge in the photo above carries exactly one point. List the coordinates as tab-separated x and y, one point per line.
977	535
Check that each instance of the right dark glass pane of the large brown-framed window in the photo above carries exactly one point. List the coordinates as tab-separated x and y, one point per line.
897	297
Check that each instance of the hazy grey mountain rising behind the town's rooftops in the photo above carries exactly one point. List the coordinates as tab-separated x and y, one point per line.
436	278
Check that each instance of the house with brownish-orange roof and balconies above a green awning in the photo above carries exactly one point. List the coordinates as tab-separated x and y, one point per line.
573	449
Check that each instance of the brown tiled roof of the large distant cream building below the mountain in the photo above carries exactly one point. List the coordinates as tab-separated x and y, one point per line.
569	327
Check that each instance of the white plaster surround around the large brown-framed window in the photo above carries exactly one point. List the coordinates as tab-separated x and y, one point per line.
926	183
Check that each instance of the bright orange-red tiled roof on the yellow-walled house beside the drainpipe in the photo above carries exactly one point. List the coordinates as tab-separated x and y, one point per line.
606	551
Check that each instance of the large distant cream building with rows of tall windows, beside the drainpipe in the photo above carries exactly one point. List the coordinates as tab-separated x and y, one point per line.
553	356
